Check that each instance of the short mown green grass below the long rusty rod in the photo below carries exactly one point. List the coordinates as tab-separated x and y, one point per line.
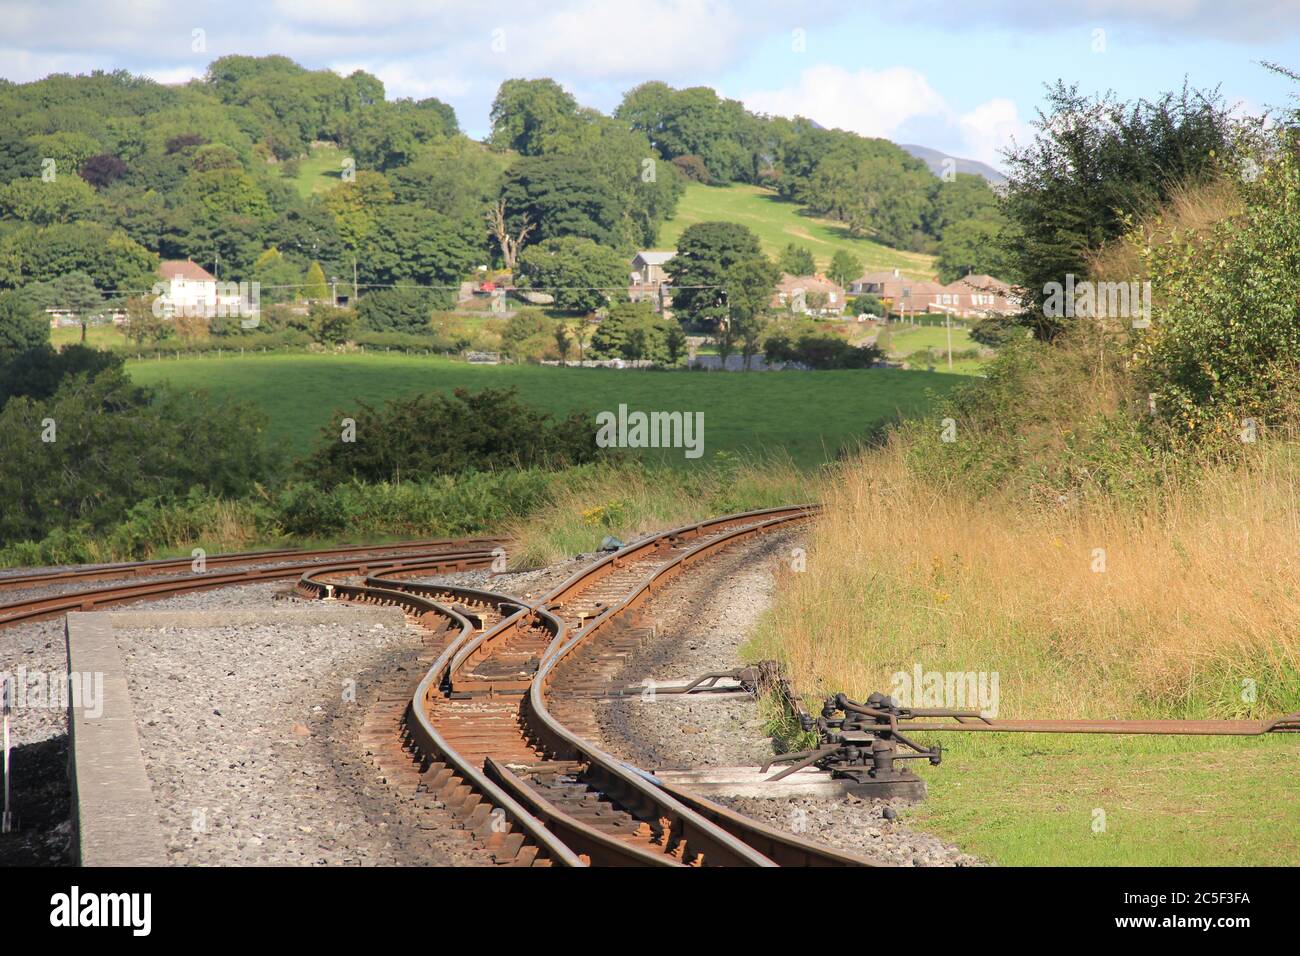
1168	802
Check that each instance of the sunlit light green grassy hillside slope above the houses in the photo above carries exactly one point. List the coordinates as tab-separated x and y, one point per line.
779	223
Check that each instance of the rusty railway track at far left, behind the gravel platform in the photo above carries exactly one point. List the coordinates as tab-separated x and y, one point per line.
449	555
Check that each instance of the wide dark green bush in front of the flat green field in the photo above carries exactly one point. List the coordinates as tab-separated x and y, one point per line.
422	436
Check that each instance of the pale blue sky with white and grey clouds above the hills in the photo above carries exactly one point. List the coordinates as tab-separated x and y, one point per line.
960	77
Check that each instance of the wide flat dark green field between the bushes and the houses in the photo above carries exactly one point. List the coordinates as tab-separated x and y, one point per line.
809	416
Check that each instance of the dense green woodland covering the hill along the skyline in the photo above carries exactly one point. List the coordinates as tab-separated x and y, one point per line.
105	175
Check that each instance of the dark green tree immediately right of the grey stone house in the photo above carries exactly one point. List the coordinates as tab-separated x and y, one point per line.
707	252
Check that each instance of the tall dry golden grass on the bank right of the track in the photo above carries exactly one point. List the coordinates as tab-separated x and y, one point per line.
1201	590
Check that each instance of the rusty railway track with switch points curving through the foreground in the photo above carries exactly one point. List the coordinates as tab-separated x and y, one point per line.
496	728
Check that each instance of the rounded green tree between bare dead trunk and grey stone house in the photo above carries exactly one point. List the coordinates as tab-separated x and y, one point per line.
579	274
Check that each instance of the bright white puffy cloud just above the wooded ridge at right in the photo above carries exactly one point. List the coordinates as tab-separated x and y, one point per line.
894	105
